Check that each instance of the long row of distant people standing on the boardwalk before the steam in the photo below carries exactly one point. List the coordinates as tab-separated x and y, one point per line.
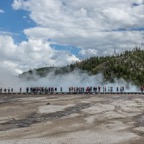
49	90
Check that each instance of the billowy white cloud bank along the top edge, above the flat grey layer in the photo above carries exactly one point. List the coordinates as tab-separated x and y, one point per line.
82	15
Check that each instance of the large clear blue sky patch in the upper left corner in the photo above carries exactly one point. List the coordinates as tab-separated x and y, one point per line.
13	21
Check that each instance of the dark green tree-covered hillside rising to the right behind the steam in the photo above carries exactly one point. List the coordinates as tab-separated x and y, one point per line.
128	65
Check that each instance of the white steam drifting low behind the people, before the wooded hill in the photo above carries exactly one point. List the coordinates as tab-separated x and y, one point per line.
76	78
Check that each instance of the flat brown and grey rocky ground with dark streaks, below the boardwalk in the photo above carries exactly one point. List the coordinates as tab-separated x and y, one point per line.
71	119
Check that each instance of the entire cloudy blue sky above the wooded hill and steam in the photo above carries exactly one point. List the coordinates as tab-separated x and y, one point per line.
39	33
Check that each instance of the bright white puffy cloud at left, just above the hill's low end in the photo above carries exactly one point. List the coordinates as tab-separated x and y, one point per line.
31	54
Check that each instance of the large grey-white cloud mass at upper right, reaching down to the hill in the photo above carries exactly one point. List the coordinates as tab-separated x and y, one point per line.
84	24
